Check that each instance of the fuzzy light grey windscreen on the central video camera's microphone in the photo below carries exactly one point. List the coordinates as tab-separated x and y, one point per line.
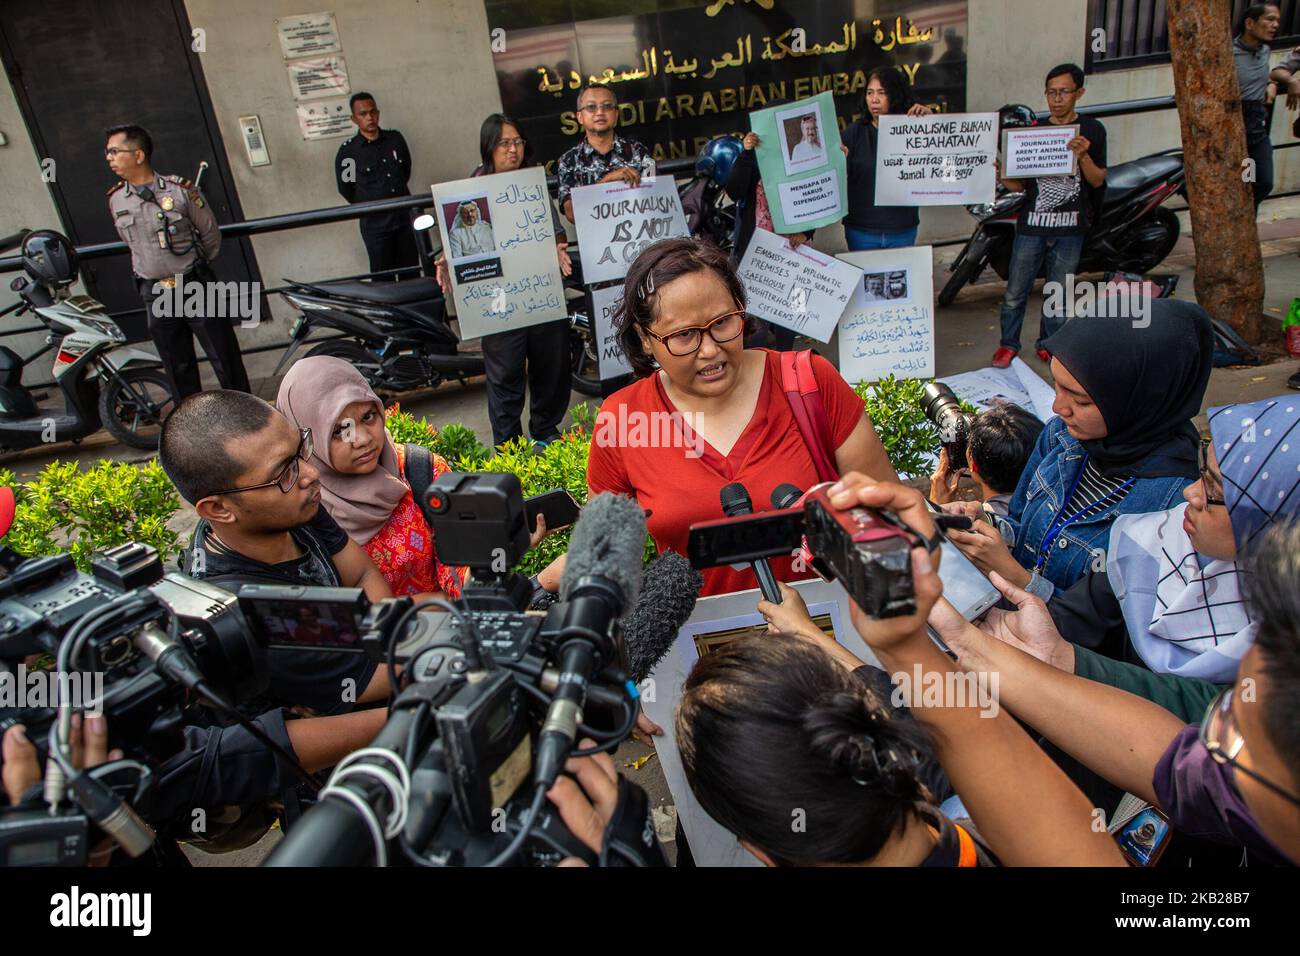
609	542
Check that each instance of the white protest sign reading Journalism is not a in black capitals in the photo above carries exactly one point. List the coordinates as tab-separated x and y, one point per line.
616	222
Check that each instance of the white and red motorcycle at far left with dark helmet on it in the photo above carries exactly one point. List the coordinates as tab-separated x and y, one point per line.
103	382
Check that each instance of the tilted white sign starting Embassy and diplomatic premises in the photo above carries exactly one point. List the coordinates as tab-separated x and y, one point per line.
799	289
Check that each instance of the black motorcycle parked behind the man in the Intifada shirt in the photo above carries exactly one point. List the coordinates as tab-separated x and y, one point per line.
1133	233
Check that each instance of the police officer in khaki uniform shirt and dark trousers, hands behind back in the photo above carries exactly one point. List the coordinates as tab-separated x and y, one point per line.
174	237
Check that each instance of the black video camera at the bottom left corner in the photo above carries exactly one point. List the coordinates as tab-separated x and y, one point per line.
127	641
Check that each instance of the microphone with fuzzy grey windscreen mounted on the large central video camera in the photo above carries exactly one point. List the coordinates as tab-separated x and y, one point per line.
603	577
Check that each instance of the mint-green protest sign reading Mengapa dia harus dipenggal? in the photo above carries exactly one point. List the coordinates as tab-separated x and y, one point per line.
801	163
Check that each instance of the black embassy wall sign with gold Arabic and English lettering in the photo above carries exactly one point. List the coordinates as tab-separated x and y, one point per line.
687	71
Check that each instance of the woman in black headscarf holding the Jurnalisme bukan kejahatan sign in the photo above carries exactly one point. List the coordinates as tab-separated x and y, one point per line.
869	226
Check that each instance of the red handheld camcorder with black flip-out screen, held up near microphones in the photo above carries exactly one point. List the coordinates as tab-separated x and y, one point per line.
869	552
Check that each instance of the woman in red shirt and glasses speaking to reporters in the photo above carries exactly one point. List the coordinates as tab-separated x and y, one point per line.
714	413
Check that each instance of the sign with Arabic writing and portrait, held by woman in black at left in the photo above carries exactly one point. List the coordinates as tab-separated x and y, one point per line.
499	237
